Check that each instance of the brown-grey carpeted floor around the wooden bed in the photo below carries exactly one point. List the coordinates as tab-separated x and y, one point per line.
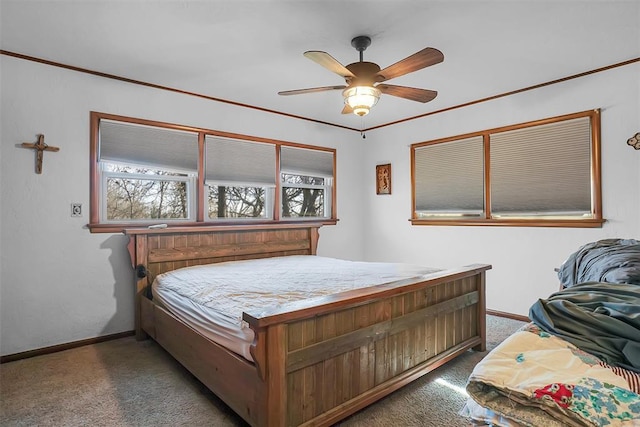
128	383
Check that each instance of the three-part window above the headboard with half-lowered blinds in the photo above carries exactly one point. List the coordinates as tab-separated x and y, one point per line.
145	173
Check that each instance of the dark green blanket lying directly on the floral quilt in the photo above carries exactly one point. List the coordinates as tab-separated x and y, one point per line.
600	318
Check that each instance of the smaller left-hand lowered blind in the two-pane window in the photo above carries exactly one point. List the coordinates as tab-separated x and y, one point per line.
449	177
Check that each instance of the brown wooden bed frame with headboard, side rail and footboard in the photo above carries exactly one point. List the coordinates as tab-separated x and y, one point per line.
315	362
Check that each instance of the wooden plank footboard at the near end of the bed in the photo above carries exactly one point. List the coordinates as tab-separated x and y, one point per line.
325	360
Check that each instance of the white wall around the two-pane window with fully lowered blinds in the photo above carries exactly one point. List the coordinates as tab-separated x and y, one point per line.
523	258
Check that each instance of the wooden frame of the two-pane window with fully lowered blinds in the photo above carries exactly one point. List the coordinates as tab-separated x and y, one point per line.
594	221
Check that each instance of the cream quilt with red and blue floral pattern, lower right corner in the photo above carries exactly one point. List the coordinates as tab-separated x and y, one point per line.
537	379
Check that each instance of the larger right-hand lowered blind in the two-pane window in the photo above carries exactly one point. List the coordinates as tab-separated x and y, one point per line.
542	170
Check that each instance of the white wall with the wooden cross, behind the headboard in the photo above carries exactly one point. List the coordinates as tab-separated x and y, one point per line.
58	282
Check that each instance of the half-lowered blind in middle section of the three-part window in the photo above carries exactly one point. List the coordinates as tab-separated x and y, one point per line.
235	161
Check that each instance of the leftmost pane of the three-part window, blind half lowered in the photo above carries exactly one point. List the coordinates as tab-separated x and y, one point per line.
148	173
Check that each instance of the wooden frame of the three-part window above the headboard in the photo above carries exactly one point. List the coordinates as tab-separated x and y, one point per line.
96	226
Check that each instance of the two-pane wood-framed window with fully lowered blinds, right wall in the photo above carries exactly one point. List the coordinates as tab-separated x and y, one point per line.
543	173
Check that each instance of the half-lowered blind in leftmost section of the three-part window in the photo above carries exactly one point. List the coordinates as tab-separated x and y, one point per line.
122	142
